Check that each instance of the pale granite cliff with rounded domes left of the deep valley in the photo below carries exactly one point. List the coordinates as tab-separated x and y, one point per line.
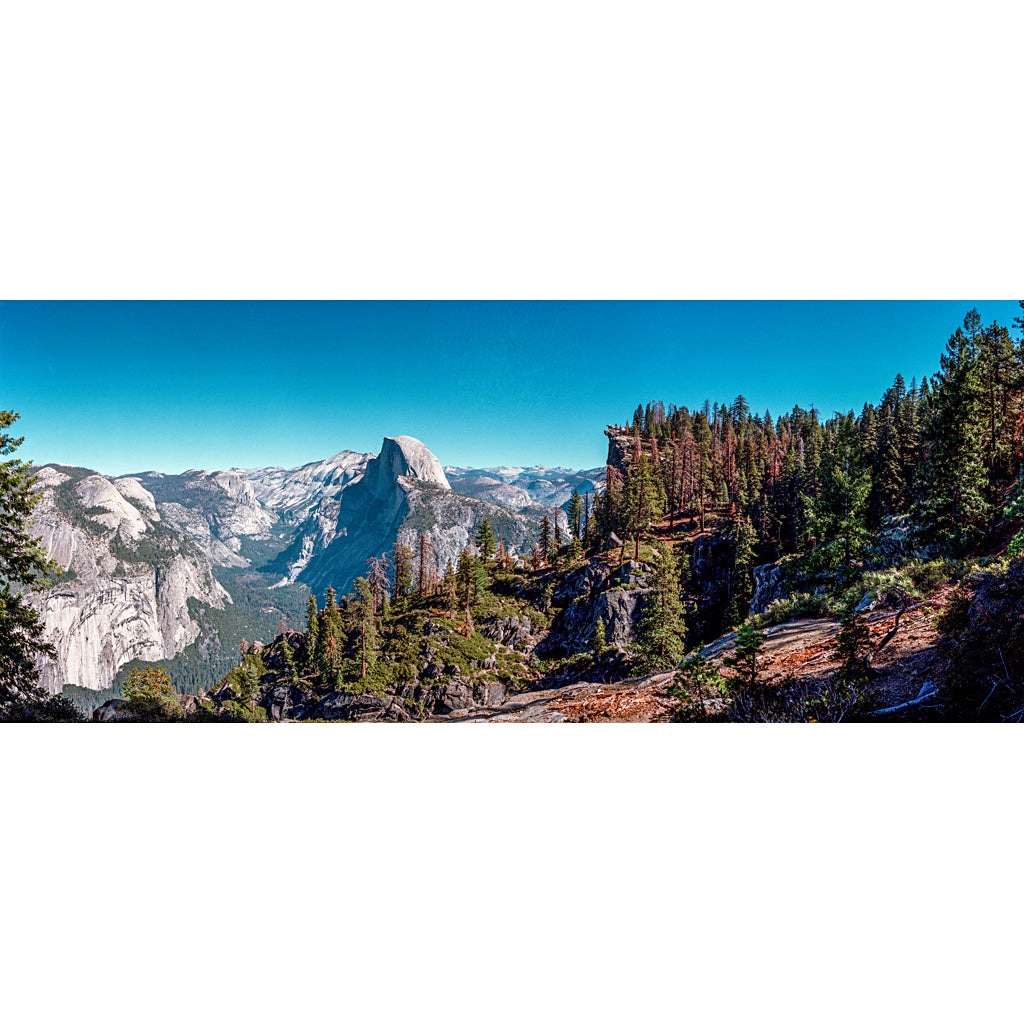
127	578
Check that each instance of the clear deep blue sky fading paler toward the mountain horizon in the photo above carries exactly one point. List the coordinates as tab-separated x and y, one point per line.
127	387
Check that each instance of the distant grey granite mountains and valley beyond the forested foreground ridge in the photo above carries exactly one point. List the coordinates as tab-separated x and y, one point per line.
179	569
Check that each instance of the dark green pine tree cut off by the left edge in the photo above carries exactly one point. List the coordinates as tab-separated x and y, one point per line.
24	568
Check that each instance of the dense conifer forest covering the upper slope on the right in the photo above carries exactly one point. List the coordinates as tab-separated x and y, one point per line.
945	454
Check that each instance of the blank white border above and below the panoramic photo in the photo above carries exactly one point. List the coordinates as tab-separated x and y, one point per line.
541	151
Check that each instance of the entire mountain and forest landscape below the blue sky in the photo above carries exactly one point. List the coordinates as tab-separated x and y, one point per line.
722	566
